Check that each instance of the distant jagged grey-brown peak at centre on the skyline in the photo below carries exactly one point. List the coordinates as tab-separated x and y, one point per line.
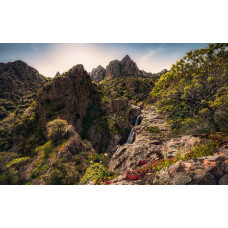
125	67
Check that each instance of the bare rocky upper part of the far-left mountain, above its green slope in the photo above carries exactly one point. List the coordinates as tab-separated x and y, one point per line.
19	78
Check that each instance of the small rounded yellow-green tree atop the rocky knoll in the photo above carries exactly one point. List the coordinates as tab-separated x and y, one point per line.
56	129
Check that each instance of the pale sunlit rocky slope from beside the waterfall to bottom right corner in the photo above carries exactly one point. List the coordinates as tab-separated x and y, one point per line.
152	143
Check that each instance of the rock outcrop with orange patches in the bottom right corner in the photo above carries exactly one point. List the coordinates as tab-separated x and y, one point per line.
208	170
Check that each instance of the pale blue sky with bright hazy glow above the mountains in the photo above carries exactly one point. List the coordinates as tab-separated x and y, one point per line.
52	57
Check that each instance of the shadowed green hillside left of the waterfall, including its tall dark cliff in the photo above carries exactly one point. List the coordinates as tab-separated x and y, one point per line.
30	154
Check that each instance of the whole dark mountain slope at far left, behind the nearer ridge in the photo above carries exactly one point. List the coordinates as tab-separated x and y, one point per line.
18	84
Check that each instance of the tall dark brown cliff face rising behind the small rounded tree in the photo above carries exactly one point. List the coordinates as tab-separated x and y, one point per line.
67	96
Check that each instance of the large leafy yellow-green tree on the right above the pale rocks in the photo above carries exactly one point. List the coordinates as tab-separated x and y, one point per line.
194	93
